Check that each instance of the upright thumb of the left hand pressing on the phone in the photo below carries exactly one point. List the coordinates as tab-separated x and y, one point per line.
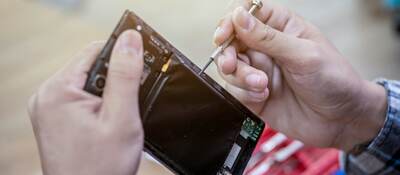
123	78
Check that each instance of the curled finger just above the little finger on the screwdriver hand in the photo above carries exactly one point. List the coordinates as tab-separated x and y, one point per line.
247	77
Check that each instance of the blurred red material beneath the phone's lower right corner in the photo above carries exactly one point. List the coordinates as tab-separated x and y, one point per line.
306	161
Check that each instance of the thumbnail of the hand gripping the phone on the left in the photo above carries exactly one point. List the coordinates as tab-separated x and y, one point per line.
127	44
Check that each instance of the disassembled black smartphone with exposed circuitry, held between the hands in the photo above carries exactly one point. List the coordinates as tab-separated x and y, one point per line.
192	125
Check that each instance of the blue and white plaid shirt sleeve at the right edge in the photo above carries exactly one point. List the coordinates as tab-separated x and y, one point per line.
382	156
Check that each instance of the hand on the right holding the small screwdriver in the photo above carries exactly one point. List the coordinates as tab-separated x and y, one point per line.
287	72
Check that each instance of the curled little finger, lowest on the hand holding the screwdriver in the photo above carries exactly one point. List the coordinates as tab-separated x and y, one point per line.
247	97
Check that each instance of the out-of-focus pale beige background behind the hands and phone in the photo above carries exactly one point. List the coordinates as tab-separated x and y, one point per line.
37	37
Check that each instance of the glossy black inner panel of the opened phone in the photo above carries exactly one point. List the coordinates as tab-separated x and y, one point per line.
192	124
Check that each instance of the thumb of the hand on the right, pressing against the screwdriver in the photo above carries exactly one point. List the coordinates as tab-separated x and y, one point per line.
284	48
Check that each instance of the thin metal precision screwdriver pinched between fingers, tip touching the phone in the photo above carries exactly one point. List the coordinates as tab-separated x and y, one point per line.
255	5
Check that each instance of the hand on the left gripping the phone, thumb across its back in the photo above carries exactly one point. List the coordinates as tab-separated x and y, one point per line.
78	133
